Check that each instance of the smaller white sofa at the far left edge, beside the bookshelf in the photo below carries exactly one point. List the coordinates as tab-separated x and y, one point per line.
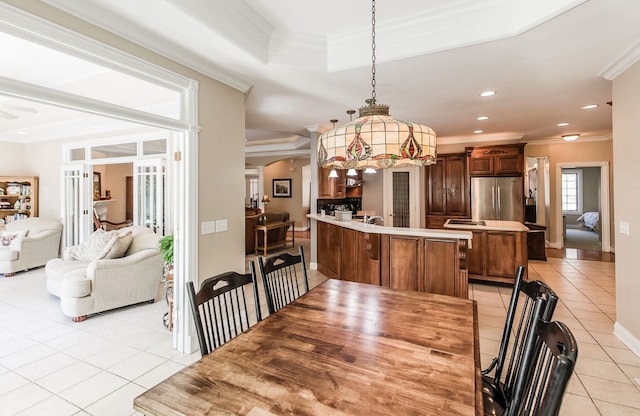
36	241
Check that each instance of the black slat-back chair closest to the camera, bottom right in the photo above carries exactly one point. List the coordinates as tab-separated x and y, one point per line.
552	352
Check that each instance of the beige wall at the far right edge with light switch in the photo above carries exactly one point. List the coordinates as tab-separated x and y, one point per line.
626	148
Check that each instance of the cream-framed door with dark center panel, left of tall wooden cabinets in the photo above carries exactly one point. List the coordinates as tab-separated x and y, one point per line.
402	203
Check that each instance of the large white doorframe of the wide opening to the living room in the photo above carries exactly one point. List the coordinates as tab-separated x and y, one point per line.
184	132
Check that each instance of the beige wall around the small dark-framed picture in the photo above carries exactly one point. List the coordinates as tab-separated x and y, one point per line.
287	169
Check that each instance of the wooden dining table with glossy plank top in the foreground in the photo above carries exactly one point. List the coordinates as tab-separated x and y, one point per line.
343	348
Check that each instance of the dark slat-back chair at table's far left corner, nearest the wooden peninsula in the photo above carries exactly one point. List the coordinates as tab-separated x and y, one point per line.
280	278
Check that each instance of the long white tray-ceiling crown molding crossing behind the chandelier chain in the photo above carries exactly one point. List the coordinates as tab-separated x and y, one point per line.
453	25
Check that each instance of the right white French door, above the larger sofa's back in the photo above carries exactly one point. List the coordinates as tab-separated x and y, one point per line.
148	191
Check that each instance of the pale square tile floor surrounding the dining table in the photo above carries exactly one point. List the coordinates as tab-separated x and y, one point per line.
51	366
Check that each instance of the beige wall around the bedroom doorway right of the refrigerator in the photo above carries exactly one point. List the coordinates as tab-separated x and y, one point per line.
571	152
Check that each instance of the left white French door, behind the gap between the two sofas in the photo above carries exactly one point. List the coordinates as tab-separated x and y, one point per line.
77	204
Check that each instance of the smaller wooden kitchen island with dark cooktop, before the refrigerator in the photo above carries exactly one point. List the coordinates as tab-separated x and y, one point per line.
499	247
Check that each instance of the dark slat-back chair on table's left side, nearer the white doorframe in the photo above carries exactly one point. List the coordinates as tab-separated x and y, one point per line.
221	309
